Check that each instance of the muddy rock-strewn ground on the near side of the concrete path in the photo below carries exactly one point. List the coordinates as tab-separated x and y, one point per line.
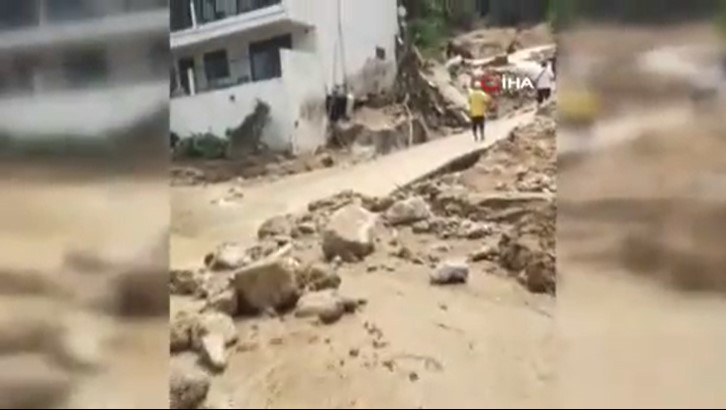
440	295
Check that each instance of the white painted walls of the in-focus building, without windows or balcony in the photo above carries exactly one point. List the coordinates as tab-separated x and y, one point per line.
309	70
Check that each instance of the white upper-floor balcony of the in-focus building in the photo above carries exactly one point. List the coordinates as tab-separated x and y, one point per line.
197	21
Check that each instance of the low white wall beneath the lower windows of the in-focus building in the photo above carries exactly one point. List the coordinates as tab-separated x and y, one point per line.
216	111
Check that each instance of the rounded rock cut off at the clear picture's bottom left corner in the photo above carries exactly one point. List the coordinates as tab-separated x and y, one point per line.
188	386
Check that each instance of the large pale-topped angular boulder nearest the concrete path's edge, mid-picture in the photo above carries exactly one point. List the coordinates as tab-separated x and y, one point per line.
349	234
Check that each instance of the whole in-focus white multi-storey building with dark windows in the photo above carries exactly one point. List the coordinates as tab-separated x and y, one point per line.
227	54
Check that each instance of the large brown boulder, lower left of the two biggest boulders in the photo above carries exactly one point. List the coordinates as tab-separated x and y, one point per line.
267	284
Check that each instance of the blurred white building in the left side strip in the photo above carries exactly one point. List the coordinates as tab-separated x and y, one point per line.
81	67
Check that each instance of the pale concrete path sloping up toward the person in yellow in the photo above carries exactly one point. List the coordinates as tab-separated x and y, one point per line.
198	224
